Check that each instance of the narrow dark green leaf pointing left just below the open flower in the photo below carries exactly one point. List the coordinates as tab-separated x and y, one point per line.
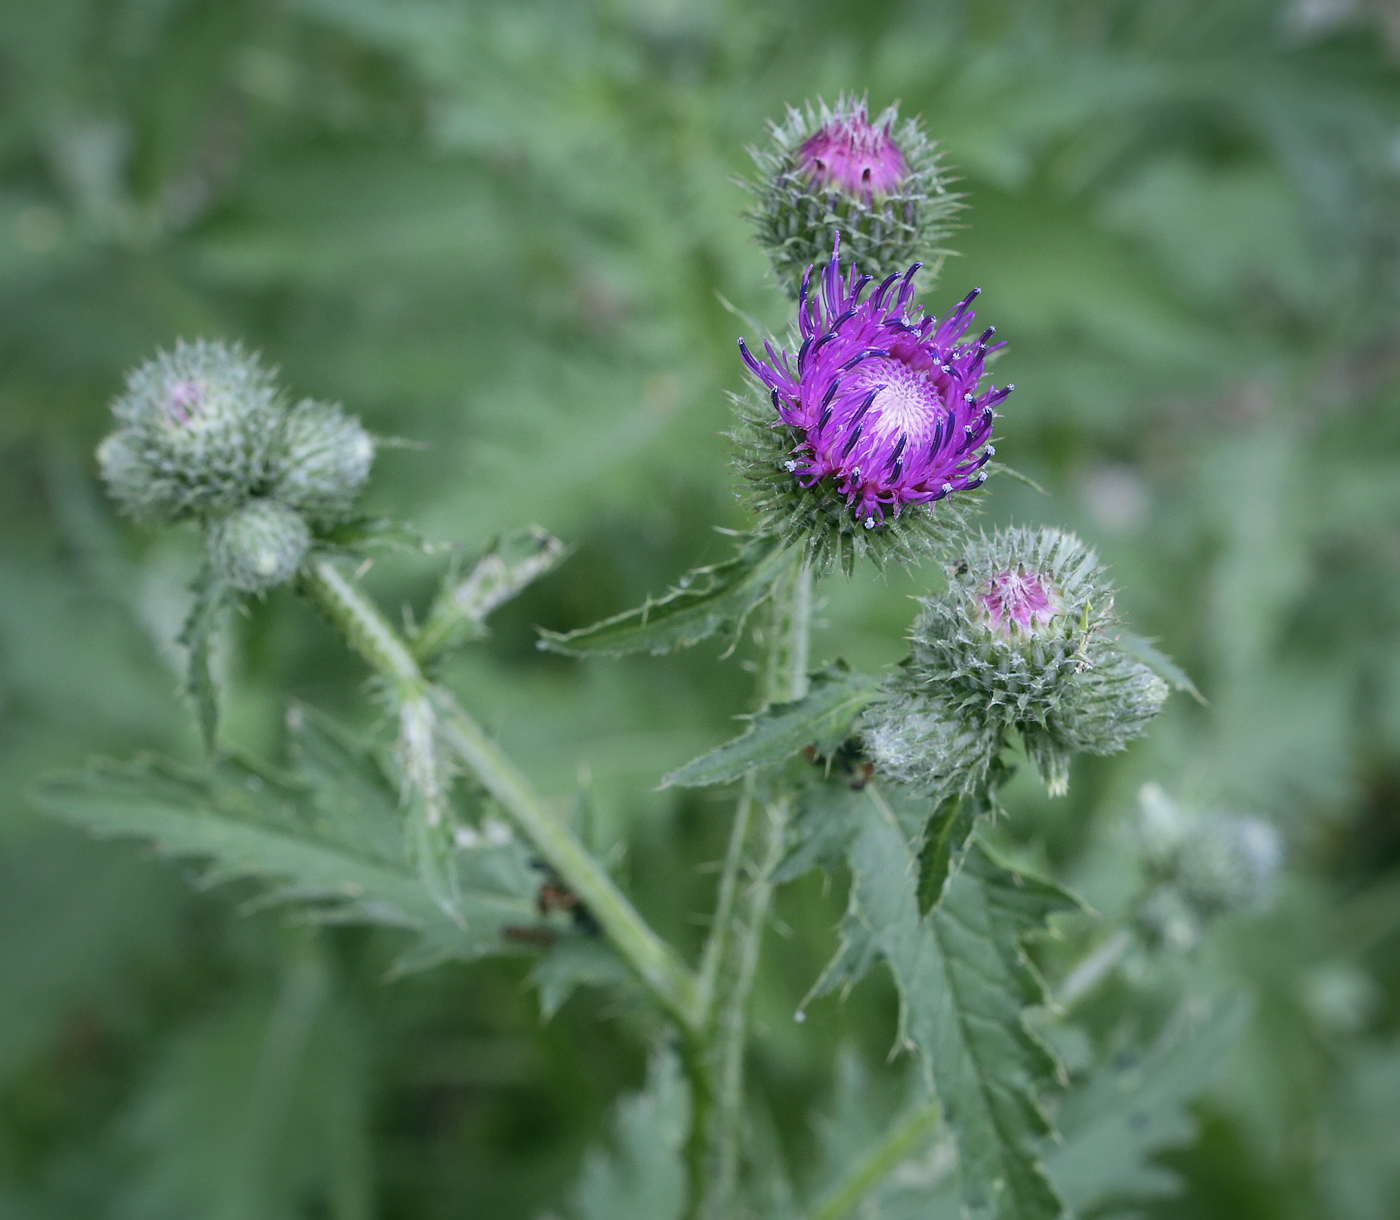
709	602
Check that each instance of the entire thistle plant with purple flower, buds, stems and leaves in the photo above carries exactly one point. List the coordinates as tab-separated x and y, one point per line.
869	438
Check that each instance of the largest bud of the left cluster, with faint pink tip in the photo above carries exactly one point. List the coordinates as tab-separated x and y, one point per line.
198	434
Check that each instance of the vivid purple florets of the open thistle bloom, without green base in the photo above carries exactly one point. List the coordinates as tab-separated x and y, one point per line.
887	401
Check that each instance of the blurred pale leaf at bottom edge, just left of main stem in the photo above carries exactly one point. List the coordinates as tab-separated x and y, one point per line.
642	1177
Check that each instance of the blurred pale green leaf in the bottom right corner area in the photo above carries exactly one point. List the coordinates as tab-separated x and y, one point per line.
1135	1106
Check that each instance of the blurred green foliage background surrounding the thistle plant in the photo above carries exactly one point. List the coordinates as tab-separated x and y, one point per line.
509	233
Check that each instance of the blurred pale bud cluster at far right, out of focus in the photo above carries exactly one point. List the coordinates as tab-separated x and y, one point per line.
1200	866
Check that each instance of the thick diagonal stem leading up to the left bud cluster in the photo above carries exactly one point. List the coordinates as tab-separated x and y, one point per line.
370	634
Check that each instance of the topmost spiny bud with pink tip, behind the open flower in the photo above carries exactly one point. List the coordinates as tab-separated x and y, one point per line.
831	170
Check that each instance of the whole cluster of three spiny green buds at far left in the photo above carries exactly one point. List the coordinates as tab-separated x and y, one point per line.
204	434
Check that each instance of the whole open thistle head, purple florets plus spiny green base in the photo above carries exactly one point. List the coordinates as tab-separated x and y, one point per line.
878	417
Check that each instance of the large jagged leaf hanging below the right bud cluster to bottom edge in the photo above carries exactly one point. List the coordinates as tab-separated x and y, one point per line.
964	984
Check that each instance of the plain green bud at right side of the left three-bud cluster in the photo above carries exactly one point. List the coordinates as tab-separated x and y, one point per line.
324	463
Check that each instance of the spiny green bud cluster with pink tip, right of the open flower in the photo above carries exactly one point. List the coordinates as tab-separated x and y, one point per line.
1024	641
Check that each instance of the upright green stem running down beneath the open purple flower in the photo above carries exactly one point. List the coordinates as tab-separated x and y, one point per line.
731	956
